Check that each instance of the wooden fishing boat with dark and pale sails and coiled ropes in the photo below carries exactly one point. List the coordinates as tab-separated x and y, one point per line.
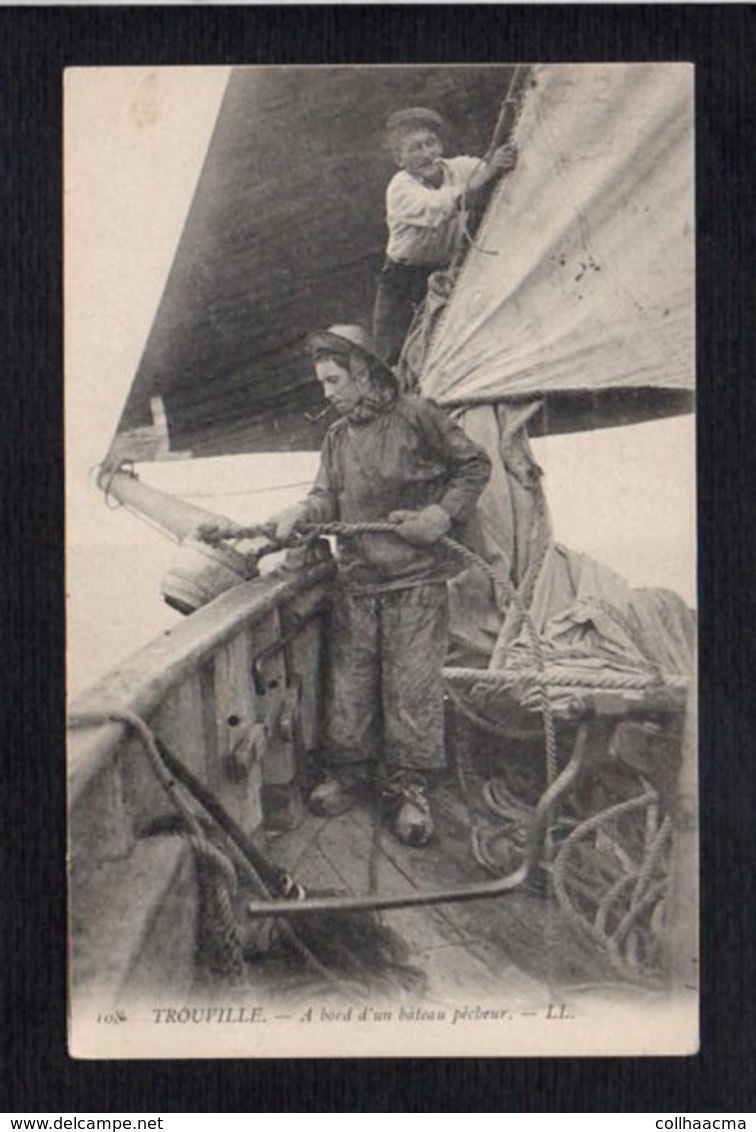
559	895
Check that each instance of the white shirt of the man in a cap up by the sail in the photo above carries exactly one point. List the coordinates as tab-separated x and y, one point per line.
424	222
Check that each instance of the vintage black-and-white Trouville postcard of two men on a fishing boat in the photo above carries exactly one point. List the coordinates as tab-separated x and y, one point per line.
381	496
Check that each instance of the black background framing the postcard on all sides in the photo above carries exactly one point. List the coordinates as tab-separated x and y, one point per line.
37	45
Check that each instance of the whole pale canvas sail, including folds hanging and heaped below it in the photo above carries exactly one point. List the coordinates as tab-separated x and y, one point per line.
573	310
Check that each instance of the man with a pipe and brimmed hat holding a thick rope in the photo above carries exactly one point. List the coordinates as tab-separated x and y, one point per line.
401	460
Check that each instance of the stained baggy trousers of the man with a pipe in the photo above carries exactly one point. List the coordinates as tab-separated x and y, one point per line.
386	701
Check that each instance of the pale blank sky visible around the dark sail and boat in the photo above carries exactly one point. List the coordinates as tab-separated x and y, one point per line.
134	145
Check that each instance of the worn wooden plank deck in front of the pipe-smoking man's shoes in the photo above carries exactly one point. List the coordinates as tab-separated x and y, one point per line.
513	948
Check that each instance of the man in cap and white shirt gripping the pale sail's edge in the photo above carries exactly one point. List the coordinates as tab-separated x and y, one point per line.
426	205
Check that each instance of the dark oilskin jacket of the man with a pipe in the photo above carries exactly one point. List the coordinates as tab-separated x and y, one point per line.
409	456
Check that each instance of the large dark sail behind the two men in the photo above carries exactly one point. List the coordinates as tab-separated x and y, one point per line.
286	233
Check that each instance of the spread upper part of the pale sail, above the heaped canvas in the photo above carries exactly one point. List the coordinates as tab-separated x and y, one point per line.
580	286
